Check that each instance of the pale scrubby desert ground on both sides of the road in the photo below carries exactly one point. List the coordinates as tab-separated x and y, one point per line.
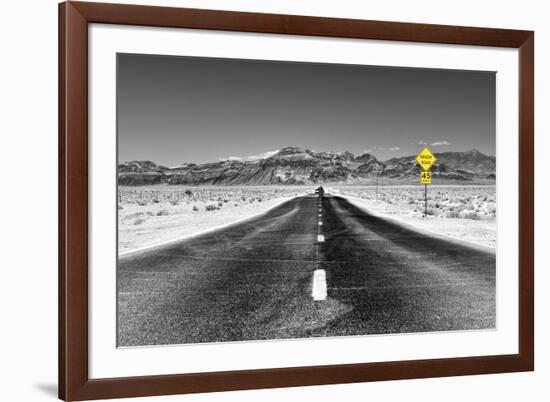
149	215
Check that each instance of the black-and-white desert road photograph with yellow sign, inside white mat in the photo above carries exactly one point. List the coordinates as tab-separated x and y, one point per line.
263	200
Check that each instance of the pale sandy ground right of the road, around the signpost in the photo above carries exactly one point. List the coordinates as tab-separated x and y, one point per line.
465	213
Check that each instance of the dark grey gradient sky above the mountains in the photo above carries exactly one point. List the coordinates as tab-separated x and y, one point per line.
181	109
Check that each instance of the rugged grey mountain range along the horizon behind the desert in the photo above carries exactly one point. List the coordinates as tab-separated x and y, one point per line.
295	165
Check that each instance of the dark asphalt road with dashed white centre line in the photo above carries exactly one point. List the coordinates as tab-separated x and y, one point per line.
313	266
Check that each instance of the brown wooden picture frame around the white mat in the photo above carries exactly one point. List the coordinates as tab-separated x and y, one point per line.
74	381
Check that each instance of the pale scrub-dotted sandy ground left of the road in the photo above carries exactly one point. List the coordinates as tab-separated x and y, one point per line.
153	214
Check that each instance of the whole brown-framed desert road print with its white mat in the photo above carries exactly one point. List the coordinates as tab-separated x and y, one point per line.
258	200
